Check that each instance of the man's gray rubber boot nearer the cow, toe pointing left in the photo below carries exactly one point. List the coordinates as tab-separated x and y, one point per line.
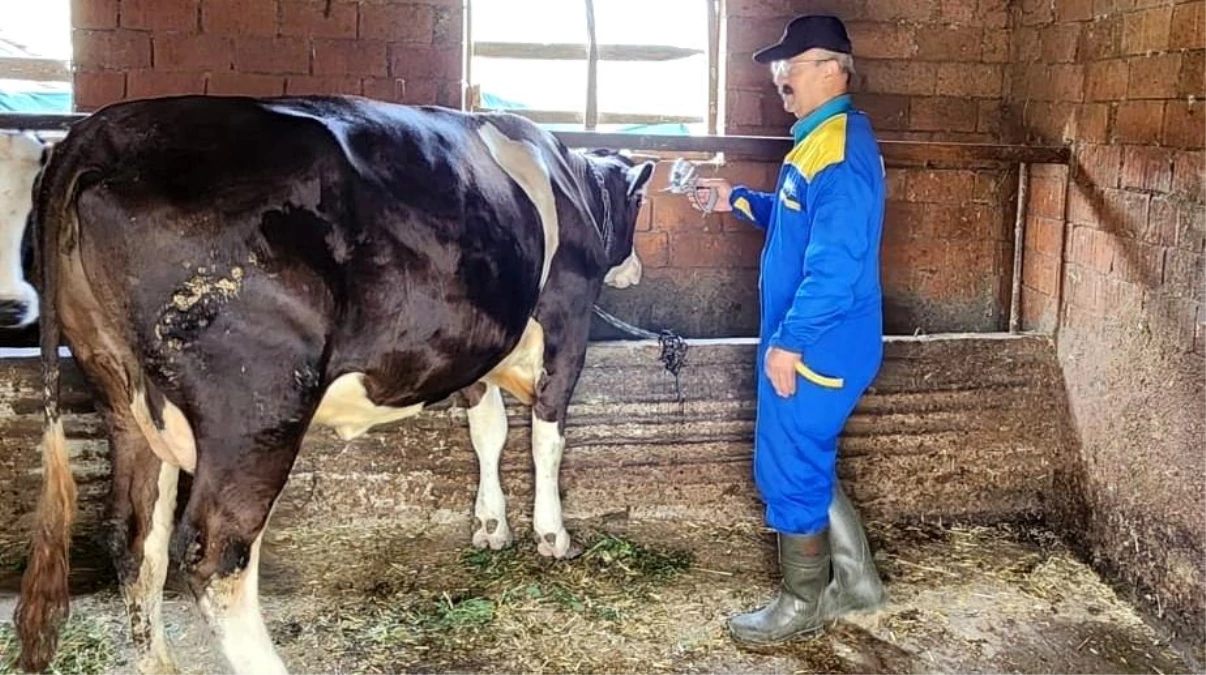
805	564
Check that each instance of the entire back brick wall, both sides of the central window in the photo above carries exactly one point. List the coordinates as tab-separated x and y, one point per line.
929	71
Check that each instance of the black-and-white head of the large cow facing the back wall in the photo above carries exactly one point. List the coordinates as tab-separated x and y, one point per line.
623	184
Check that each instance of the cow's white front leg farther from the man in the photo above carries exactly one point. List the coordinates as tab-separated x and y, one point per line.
488	431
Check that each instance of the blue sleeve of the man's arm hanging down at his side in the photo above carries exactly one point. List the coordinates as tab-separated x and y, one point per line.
838	248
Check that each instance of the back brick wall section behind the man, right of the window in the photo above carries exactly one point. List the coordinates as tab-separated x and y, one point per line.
928	71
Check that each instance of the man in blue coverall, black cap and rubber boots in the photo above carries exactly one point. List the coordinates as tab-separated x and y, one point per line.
822	330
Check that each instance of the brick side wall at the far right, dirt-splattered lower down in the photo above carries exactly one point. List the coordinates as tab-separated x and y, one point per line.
1125	83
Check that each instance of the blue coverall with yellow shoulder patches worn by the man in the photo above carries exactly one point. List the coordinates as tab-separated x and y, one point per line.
821	297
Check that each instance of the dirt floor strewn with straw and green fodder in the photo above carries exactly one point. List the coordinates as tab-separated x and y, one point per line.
968	601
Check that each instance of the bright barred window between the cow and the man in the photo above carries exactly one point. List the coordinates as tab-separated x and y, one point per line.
641	67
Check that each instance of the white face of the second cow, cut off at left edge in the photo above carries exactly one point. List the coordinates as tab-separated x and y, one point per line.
21	157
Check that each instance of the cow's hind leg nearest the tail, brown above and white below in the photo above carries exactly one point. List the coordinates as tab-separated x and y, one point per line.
142	509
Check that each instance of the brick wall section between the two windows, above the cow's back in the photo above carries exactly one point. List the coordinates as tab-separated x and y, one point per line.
394	51
